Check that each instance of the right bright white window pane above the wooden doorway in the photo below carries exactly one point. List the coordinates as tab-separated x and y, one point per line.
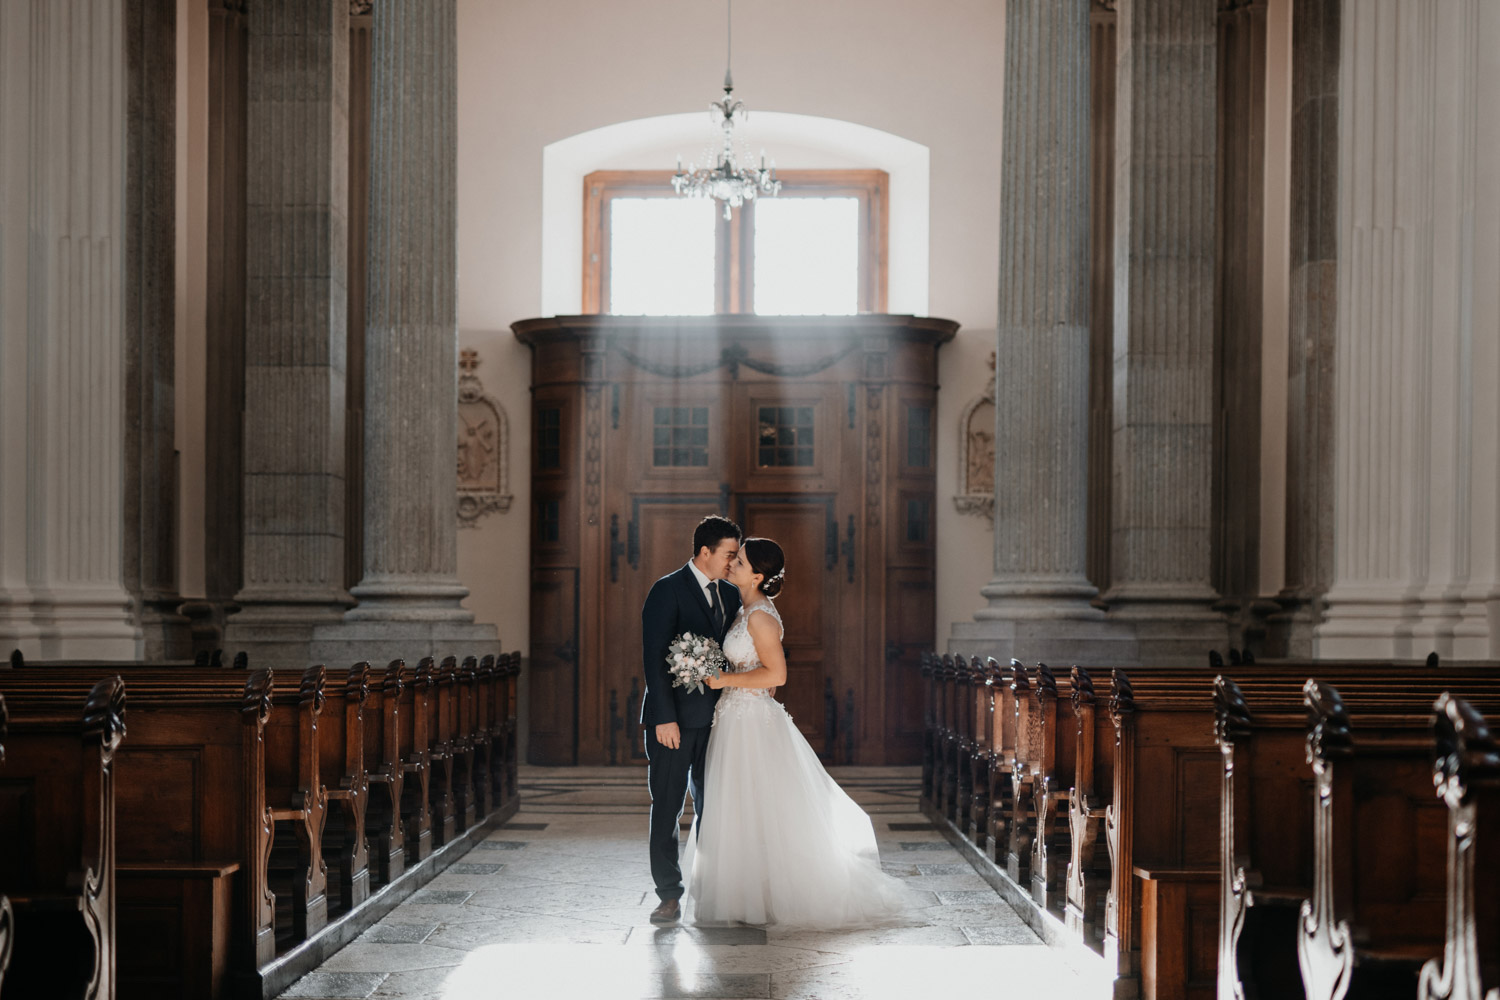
808	257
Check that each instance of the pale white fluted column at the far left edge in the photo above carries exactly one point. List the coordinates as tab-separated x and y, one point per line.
62	331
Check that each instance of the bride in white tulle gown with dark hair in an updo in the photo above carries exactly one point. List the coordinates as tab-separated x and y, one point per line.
779	842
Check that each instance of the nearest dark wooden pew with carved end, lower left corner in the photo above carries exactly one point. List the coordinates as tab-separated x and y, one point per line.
58	869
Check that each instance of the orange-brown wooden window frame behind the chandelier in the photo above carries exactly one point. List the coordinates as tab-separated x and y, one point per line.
734	239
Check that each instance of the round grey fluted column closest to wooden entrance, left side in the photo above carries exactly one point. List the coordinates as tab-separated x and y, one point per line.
409	599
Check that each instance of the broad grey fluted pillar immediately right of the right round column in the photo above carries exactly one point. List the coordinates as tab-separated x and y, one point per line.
1165	242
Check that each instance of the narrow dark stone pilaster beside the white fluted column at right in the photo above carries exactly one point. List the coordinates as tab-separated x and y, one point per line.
1312	325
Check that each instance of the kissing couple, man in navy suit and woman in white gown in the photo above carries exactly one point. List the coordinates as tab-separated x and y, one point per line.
775	839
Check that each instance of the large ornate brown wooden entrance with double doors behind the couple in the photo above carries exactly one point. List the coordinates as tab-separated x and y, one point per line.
817	433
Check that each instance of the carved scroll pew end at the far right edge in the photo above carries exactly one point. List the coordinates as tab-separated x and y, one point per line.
1468	776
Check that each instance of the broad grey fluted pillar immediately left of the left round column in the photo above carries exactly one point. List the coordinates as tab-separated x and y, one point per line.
295	329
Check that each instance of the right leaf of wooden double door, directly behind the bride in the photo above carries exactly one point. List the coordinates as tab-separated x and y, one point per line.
806	528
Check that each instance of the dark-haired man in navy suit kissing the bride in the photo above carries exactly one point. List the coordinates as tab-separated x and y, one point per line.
677	720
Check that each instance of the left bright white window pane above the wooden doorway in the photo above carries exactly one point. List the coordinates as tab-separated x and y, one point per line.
661	257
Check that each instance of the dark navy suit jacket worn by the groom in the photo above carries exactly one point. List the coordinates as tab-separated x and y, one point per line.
674	606
